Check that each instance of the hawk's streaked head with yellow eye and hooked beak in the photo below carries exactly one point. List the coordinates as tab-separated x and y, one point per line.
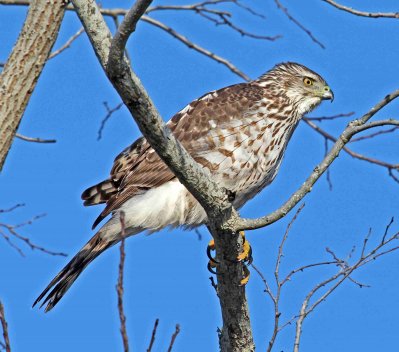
302	86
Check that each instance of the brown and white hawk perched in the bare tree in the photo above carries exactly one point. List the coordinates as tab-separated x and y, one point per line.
238	134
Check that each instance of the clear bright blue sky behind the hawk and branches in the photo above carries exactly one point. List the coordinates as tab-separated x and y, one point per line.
166	275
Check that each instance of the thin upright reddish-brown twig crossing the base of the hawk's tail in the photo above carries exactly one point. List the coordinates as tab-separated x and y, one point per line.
119	286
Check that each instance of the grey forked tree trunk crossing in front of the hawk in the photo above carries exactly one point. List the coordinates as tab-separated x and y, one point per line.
236	334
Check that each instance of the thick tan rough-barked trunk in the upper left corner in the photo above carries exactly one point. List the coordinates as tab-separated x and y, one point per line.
24	66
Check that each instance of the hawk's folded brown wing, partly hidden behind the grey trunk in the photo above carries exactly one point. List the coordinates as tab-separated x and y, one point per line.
138	168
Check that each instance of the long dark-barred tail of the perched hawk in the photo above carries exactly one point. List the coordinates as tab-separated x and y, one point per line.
67	276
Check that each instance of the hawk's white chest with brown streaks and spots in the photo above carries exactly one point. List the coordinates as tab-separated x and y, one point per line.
248	159
